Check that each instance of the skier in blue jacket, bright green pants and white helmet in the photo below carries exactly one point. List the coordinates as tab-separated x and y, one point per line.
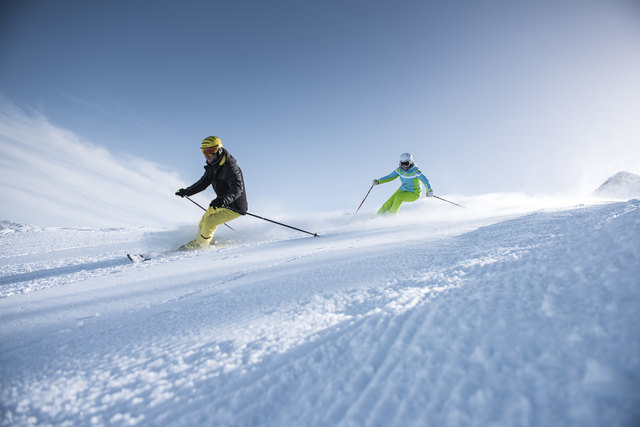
410	189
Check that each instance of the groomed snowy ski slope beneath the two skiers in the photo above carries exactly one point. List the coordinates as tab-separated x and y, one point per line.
449	318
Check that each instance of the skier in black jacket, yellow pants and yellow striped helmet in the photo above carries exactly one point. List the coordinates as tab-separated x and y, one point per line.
223	173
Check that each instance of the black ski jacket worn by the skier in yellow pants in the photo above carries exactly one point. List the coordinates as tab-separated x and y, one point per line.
226	178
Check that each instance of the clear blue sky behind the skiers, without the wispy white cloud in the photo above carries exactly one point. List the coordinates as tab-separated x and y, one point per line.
315	99
